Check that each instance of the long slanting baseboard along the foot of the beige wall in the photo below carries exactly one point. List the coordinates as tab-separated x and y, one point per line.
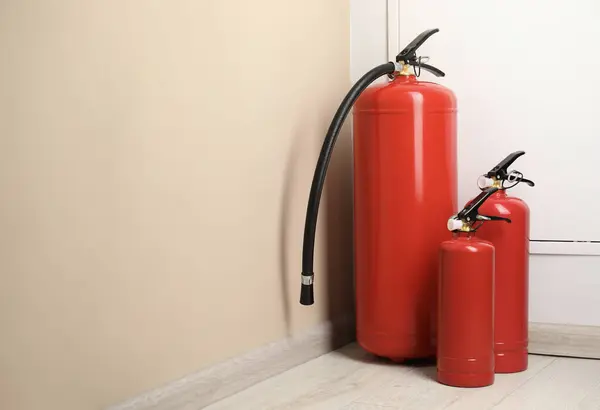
229	377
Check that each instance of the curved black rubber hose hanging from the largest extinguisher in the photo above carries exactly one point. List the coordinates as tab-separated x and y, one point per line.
310	226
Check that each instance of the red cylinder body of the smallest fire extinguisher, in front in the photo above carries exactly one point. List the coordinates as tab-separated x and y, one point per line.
465	351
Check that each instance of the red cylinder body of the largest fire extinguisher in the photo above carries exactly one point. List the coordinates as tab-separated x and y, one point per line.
404	190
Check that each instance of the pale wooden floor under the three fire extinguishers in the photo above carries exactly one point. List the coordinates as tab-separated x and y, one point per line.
351	379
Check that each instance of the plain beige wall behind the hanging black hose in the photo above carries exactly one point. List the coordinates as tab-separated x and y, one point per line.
155	158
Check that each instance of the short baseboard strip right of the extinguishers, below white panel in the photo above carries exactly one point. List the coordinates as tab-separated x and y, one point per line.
564	340
